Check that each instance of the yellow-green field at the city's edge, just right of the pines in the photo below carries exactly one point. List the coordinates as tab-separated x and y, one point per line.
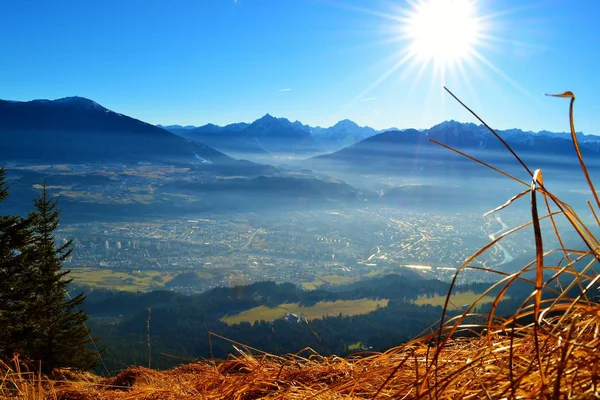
137	281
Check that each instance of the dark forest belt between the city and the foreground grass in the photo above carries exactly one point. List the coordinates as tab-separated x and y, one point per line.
182	328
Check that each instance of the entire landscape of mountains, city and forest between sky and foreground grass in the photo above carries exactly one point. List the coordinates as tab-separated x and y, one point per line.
282	236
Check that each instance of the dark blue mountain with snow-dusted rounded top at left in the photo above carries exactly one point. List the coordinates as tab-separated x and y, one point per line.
76	129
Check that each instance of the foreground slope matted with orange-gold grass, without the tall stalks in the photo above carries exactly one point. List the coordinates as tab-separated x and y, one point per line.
532	365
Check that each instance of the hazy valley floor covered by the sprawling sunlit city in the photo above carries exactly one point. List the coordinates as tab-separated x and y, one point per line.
212	250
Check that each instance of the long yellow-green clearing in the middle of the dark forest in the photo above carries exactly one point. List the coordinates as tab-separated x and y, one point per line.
319	310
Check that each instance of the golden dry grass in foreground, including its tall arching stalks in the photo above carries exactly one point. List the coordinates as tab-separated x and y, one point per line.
549	348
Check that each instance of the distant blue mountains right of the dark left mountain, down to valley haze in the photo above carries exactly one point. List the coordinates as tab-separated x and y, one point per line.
348	151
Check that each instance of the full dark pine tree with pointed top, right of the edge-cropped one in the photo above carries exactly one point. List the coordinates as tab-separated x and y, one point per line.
61	338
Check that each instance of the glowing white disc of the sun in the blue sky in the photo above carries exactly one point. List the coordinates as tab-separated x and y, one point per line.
445	32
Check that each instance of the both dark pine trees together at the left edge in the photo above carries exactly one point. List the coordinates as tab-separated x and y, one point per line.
40	322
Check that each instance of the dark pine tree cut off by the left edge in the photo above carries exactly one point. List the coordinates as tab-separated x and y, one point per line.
16	290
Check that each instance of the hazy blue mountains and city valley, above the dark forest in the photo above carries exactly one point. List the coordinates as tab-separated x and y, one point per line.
346	201
